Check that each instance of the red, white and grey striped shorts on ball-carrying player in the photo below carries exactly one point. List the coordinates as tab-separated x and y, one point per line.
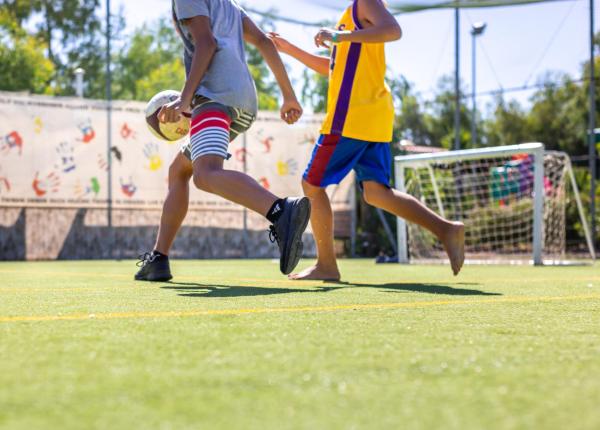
213	126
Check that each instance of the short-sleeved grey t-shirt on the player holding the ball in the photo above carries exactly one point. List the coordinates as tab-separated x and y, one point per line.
228	80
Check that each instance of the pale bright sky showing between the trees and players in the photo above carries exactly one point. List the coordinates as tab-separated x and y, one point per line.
519	45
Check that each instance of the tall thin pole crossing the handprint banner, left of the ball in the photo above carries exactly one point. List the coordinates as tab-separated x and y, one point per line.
109	132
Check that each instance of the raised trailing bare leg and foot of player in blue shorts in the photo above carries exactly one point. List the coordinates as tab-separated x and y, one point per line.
451	234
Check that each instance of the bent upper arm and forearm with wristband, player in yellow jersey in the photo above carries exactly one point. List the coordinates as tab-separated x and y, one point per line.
382	27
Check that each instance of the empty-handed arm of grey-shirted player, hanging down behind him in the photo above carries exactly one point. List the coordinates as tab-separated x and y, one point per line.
291	111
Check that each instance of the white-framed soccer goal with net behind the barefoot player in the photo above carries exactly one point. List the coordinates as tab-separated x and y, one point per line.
512	199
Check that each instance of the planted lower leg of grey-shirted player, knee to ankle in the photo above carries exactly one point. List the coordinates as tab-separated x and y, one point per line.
176	204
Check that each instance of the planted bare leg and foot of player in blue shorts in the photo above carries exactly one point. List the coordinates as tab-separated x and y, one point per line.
321	220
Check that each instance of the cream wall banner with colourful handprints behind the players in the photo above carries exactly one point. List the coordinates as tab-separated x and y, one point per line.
54	178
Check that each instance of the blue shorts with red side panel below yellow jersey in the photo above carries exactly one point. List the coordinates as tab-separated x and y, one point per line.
335	156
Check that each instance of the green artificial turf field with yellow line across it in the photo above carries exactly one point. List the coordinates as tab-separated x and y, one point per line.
232	344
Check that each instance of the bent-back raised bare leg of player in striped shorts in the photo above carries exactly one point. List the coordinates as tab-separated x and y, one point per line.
237	187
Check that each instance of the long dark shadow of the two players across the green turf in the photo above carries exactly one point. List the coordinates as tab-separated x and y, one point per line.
188	289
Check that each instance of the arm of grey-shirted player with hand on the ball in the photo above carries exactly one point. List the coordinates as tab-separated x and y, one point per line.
205	47
